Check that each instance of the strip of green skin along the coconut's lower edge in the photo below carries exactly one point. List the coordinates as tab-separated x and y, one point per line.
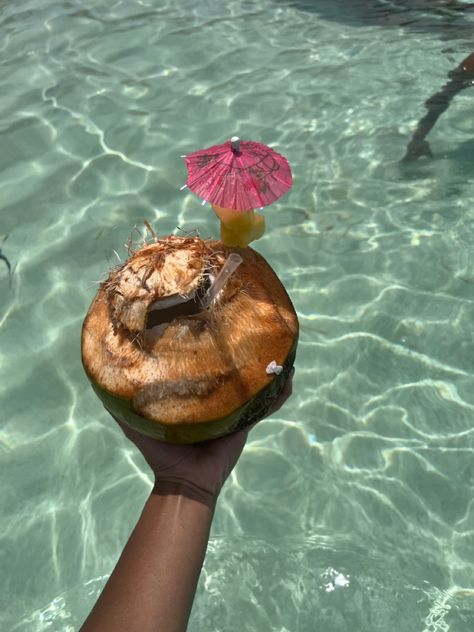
248	414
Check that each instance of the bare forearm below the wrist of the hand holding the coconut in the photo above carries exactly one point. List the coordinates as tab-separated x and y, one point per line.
152	587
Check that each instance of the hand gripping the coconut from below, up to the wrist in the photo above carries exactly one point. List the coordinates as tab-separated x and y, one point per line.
196	470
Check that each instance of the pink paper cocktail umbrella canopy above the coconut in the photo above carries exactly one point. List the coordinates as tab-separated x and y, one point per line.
238	175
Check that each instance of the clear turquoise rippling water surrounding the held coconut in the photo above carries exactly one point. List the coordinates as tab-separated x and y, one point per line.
351	509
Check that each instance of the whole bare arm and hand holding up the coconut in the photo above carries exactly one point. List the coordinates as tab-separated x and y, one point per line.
153	584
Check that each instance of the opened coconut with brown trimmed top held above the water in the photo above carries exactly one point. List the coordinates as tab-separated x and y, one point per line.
177	359
